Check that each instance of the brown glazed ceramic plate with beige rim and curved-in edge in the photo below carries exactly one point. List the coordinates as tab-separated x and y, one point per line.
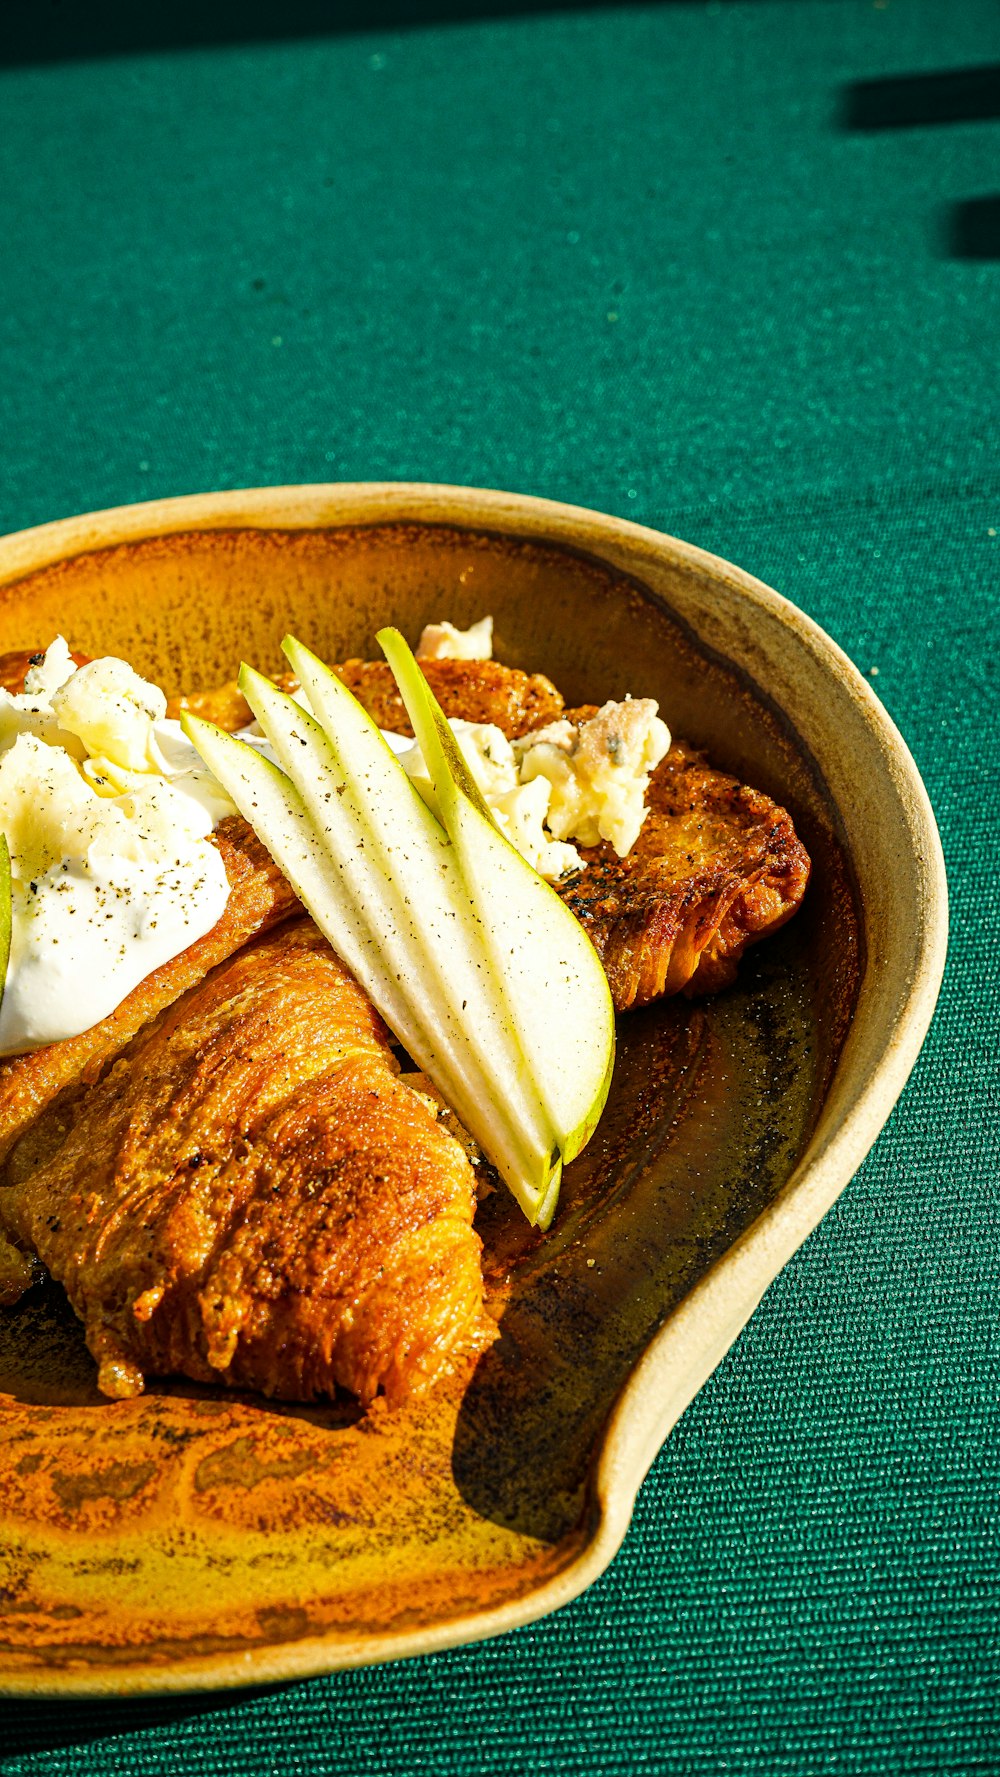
196	1538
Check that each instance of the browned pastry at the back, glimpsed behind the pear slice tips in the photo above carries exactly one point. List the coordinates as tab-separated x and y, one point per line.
473	690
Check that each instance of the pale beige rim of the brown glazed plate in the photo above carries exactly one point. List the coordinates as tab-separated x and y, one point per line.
697	1335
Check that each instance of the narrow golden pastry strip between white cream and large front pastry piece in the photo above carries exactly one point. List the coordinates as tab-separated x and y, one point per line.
260	898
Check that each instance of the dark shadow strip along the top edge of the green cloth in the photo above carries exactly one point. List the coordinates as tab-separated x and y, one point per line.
35	33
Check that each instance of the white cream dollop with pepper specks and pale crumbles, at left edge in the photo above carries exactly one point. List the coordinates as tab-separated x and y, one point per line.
107	813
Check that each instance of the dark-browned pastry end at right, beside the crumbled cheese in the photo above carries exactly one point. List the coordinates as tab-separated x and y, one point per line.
717	866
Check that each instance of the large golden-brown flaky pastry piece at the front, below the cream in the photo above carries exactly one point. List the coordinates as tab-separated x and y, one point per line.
251	1195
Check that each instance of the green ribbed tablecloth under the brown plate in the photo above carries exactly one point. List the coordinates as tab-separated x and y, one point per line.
662	262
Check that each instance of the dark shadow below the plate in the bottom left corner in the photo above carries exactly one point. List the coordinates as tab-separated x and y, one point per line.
31	1728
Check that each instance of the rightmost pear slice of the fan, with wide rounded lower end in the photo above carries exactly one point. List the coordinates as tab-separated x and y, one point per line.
553	980
